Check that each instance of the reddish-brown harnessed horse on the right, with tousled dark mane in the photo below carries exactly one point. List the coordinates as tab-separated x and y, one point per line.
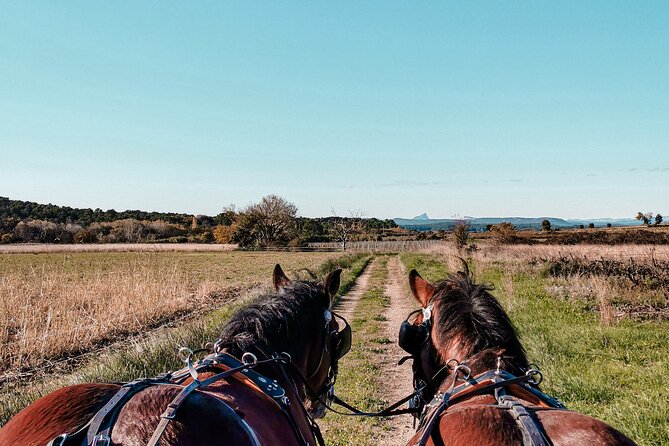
474	384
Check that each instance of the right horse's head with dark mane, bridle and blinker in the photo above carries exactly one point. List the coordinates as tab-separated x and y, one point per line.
459	322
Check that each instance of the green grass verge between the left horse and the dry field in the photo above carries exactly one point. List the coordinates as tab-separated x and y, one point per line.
158	352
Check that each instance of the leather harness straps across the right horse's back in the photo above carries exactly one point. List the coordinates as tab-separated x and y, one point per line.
508	391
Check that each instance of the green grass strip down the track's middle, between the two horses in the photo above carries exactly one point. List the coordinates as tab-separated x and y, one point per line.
359	382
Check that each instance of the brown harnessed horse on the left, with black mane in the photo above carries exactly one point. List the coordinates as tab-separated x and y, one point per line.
266	381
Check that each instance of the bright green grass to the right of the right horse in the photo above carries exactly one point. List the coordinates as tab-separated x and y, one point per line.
617	373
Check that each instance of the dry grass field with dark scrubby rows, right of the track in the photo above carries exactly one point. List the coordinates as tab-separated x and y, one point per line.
619	282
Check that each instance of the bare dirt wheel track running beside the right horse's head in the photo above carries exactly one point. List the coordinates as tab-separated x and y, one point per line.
399	378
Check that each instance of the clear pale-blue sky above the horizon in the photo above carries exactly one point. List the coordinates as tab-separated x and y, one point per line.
395	108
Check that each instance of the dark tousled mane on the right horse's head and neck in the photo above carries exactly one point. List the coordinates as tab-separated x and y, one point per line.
472	319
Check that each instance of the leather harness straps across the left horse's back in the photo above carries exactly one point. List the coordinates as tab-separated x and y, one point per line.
97	432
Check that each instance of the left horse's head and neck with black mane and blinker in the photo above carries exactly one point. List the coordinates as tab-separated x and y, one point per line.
296	318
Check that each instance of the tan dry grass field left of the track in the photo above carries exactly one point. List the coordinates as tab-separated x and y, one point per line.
55	305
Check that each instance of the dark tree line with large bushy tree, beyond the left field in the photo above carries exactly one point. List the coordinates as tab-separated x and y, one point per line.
273	221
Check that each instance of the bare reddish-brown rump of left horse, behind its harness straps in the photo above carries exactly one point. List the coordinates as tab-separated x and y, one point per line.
64	410
